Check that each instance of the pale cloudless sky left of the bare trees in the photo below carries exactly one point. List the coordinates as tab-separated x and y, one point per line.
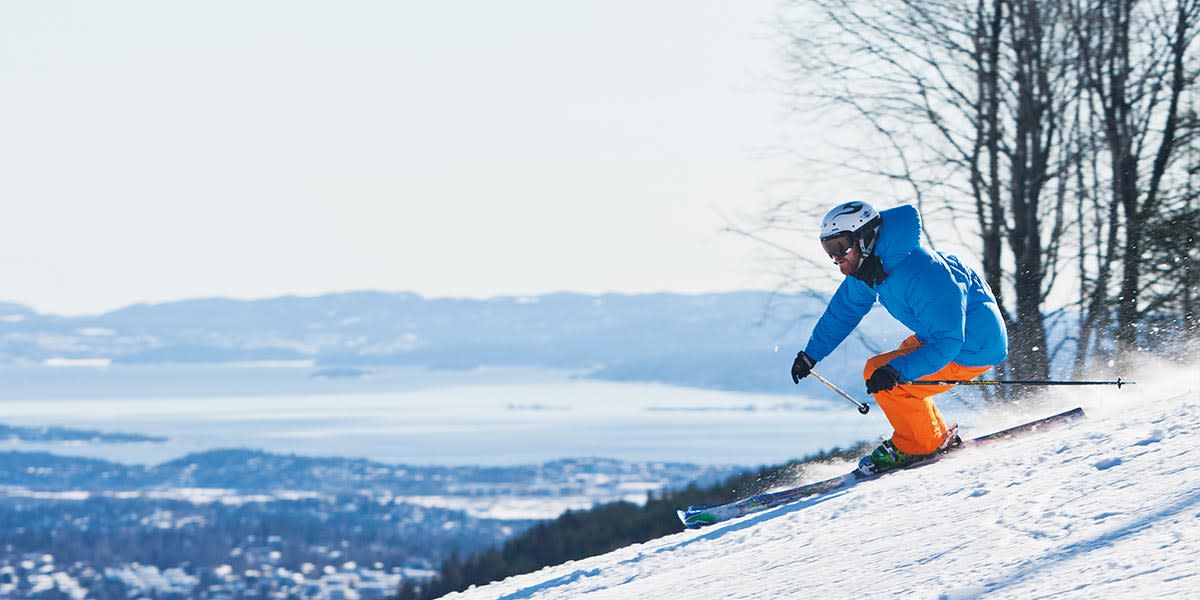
164	151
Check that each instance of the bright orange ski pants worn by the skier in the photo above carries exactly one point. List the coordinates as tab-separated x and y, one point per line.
911	411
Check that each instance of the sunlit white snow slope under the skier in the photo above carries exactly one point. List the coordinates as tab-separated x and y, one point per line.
1108	507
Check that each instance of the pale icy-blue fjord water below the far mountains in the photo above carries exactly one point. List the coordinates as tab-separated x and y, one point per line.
418	417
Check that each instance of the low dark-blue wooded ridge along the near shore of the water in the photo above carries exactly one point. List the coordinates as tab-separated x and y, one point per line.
243	471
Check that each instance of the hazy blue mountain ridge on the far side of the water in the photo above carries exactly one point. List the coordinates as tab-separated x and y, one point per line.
736	340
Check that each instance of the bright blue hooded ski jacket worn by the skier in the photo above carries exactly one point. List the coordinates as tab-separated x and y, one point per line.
946	304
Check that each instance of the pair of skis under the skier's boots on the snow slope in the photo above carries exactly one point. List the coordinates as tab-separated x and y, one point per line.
695	518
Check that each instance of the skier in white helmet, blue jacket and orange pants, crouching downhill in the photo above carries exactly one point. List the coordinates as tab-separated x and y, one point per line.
959	332
